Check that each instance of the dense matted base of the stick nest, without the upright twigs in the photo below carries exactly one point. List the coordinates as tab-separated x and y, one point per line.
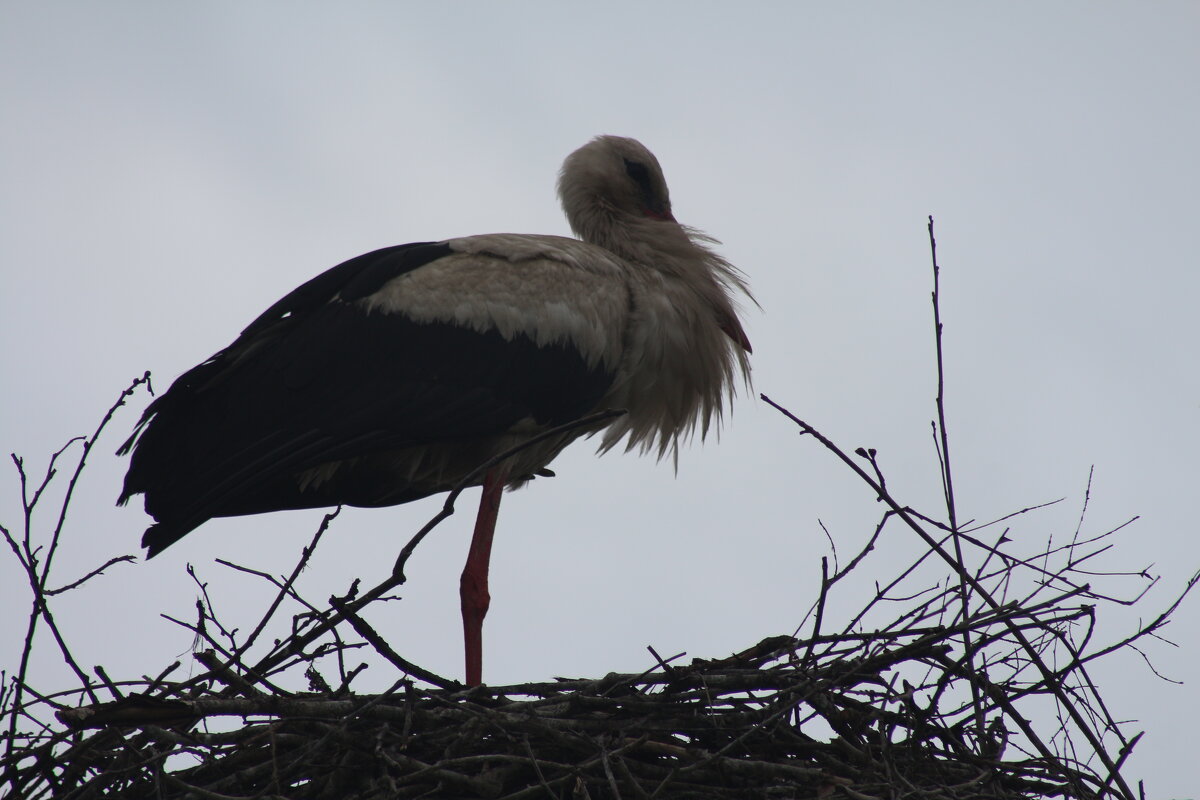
752	726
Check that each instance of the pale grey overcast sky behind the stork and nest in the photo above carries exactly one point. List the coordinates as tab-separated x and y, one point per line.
170	171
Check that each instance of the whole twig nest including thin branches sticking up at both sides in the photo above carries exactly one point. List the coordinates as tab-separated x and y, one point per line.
964	675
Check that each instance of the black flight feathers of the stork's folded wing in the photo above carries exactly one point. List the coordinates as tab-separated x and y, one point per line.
316	380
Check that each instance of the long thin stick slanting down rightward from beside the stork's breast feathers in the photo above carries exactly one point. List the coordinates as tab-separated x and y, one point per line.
1035	658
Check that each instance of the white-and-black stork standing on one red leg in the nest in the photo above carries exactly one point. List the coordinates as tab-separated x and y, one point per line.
397	375
